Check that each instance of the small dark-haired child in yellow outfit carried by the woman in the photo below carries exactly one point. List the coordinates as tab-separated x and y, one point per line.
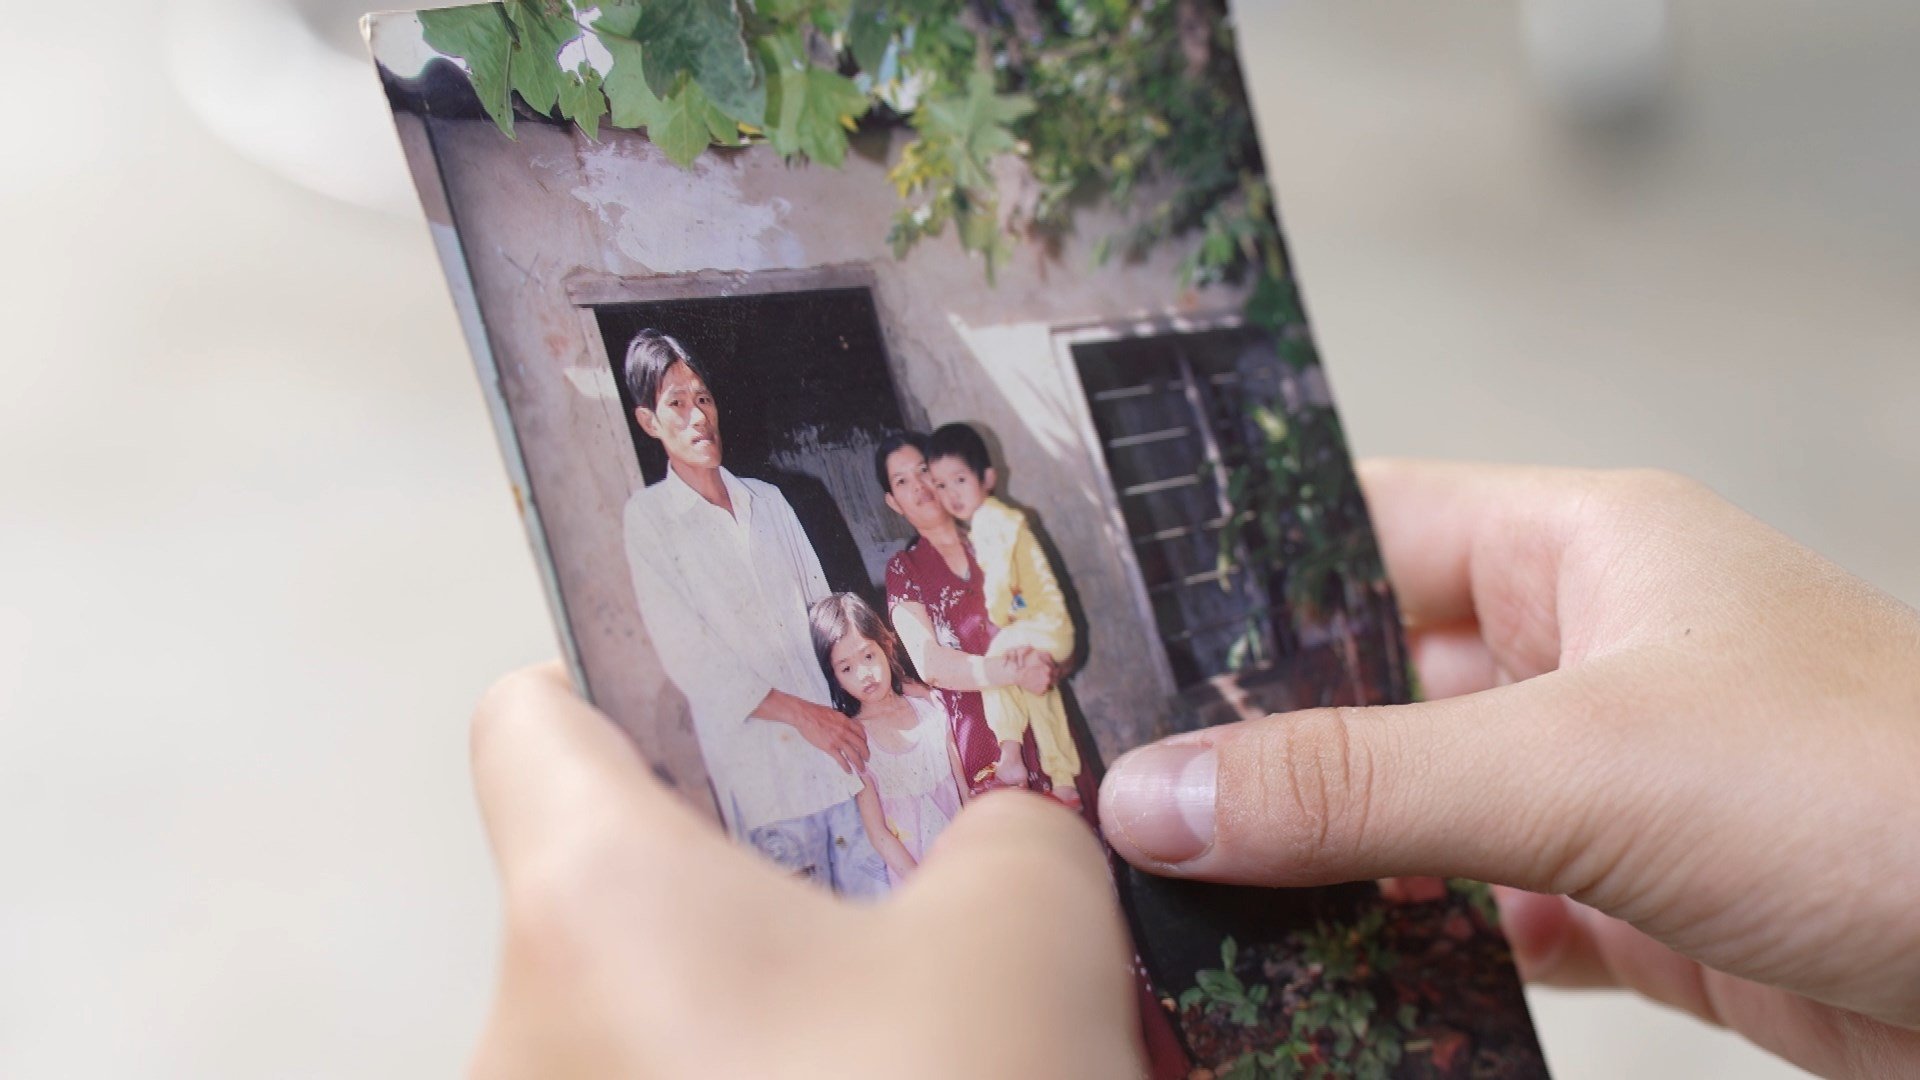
1024	601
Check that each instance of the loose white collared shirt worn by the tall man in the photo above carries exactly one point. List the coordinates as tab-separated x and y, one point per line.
725	599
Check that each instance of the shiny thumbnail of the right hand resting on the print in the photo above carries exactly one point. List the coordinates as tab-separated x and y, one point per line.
1161	800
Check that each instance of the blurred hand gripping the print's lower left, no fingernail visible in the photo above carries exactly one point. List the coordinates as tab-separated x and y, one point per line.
644	943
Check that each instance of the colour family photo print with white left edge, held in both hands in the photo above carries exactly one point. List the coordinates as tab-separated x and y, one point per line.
911	401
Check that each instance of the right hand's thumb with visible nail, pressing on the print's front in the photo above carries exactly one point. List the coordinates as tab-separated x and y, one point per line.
1489	787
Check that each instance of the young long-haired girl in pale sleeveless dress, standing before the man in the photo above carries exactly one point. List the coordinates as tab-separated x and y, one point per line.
913	773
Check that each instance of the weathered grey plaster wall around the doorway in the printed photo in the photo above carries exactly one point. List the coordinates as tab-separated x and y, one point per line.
554	207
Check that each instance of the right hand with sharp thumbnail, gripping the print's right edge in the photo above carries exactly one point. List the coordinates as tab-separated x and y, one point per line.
1666	710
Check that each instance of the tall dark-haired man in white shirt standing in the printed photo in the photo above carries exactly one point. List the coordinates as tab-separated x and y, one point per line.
725	577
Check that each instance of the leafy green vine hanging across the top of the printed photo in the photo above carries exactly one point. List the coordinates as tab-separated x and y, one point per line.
1136	103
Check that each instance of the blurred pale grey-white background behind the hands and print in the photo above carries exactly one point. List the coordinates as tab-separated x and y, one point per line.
258	558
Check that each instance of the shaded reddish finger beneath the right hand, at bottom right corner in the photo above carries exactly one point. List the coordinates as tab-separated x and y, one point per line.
1560	943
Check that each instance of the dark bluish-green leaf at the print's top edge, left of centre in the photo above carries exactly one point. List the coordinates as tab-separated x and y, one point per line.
702	41
